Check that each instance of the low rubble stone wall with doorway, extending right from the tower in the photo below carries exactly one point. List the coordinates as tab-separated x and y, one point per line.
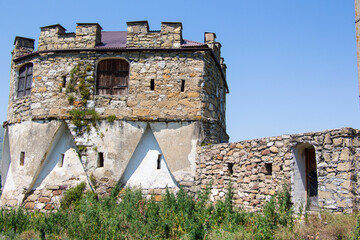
246	165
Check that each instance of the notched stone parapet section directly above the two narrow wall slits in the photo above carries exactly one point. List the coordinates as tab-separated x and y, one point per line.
139	35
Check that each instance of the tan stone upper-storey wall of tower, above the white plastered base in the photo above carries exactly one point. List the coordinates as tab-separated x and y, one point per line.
167	102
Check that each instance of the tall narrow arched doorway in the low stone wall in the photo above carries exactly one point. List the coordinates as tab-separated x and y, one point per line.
305	176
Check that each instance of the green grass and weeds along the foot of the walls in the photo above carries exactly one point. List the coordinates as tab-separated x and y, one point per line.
83	215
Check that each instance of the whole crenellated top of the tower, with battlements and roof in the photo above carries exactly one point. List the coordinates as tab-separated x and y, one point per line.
89	36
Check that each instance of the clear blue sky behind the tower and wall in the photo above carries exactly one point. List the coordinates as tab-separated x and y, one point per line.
291	64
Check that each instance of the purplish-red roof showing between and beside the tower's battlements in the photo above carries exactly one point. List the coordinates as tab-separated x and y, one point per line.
117	39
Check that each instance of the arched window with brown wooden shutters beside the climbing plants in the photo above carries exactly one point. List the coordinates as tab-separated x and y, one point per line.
112	77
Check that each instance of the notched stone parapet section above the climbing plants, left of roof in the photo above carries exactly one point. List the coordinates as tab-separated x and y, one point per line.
53	37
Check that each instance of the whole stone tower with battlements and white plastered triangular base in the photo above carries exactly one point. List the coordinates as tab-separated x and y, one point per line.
109	107
